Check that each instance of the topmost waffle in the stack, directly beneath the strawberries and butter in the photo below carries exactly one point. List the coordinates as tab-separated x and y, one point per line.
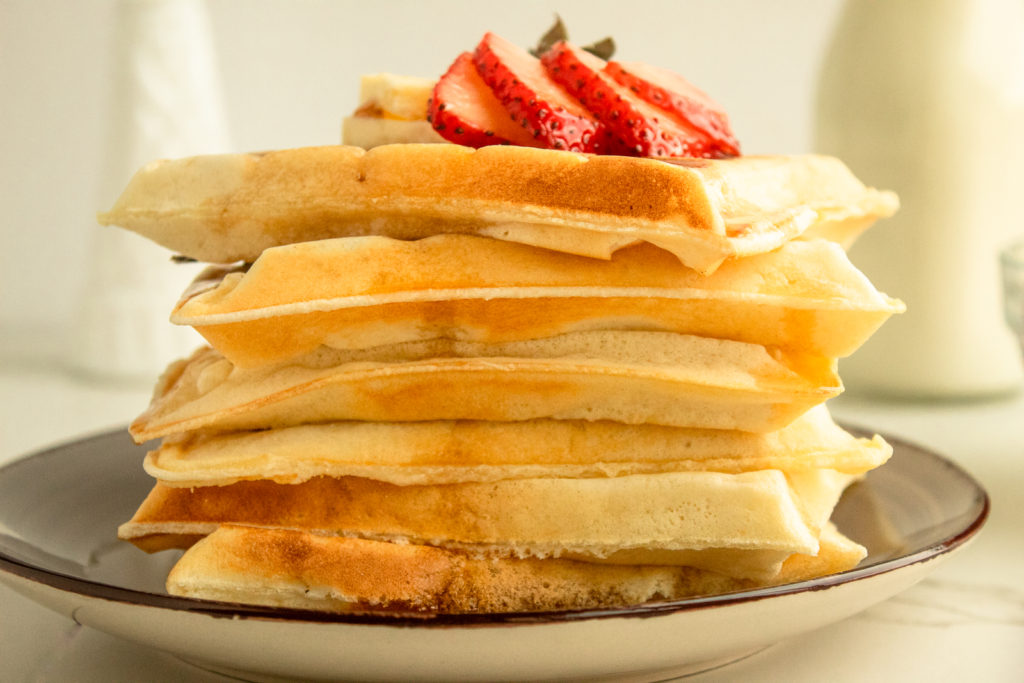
232	207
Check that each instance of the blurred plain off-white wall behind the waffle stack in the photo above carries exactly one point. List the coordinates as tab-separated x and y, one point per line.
290	72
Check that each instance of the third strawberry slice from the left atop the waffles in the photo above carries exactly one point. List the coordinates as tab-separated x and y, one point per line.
637	127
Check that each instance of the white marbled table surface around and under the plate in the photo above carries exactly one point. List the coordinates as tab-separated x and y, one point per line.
965	622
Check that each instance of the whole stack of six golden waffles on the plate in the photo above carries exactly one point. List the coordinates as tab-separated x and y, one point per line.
600	408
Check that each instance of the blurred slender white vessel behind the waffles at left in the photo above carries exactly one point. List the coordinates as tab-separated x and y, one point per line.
165	102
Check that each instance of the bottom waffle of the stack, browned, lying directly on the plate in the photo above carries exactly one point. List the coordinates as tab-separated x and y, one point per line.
306	571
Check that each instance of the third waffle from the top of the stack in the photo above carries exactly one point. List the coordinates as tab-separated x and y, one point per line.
630	377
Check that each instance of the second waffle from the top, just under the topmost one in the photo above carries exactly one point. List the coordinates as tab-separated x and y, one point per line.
360	292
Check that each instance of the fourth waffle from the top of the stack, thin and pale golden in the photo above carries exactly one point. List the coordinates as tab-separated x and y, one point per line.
453	452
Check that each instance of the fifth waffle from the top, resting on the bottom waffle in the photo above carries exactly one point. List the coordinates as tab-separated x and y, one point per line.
742	526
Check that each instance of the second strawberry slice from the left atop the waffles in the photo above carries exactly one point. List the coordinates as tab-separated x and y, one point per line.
534	101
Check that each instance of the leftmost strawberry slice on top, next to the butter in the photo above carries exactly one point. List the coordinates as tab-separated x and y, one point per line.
464	110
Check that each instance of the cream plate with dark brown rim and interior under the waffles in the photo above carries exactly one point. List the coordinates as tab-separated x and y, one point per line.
60	510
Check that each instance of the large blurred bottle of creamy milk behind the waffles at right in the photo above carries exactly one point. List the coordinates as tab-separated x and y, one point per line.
926	98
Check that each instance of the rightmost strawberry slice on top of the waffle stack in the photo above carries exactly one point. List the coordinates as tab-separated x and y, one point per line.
673	94
